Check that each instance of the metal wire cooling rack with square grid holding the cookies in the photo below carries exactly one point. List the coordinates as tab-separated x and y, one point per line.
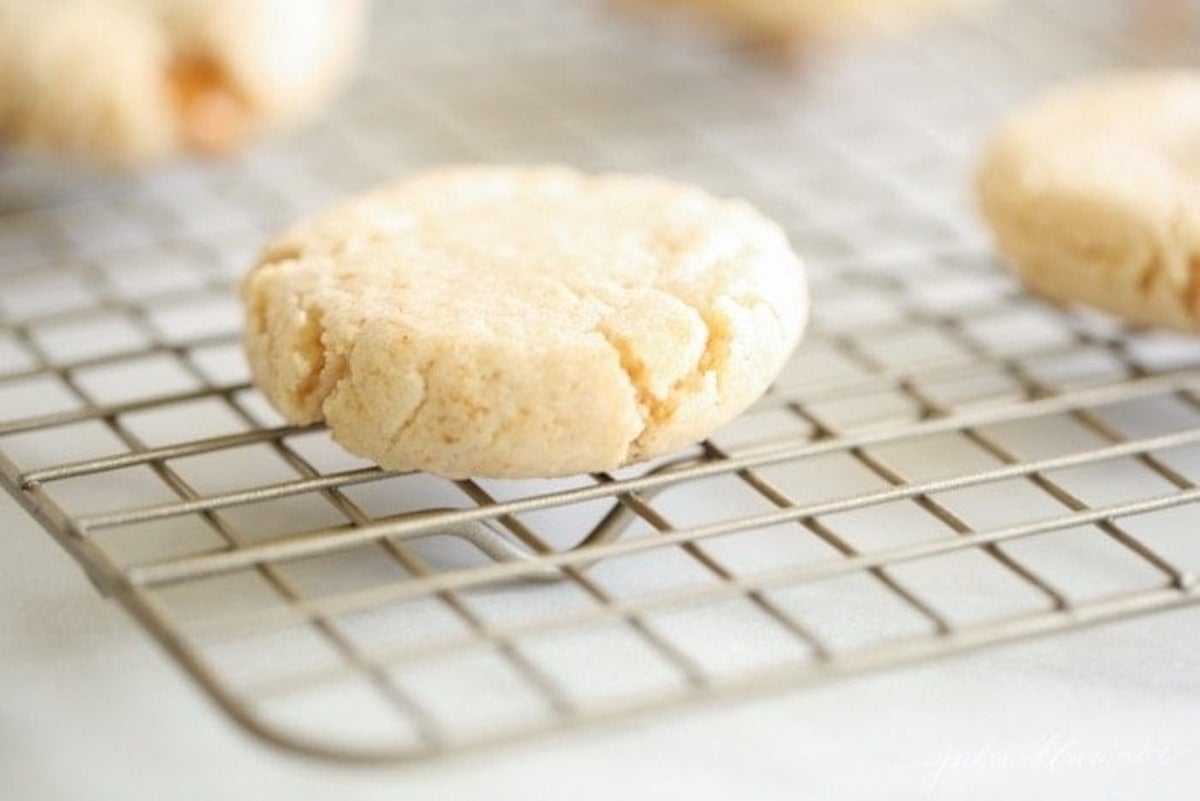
946	463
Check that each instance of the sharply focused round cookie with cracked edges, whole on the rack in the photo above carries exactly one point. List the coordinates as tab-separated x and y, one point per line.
524	322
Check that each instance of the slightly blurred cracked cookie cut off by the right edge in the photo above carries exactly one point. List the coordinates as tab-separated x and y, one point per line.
1094	196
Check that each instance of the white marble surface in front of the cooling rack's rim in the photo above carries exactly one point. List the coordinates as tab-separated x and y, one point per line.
92	710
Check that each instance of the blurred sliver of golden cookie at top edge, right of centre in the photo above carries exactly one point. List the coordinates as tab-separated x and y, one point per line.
783	26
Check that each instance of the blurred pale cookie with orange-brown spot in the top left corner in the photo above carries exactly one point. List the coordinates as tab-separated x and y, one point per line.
135	81
